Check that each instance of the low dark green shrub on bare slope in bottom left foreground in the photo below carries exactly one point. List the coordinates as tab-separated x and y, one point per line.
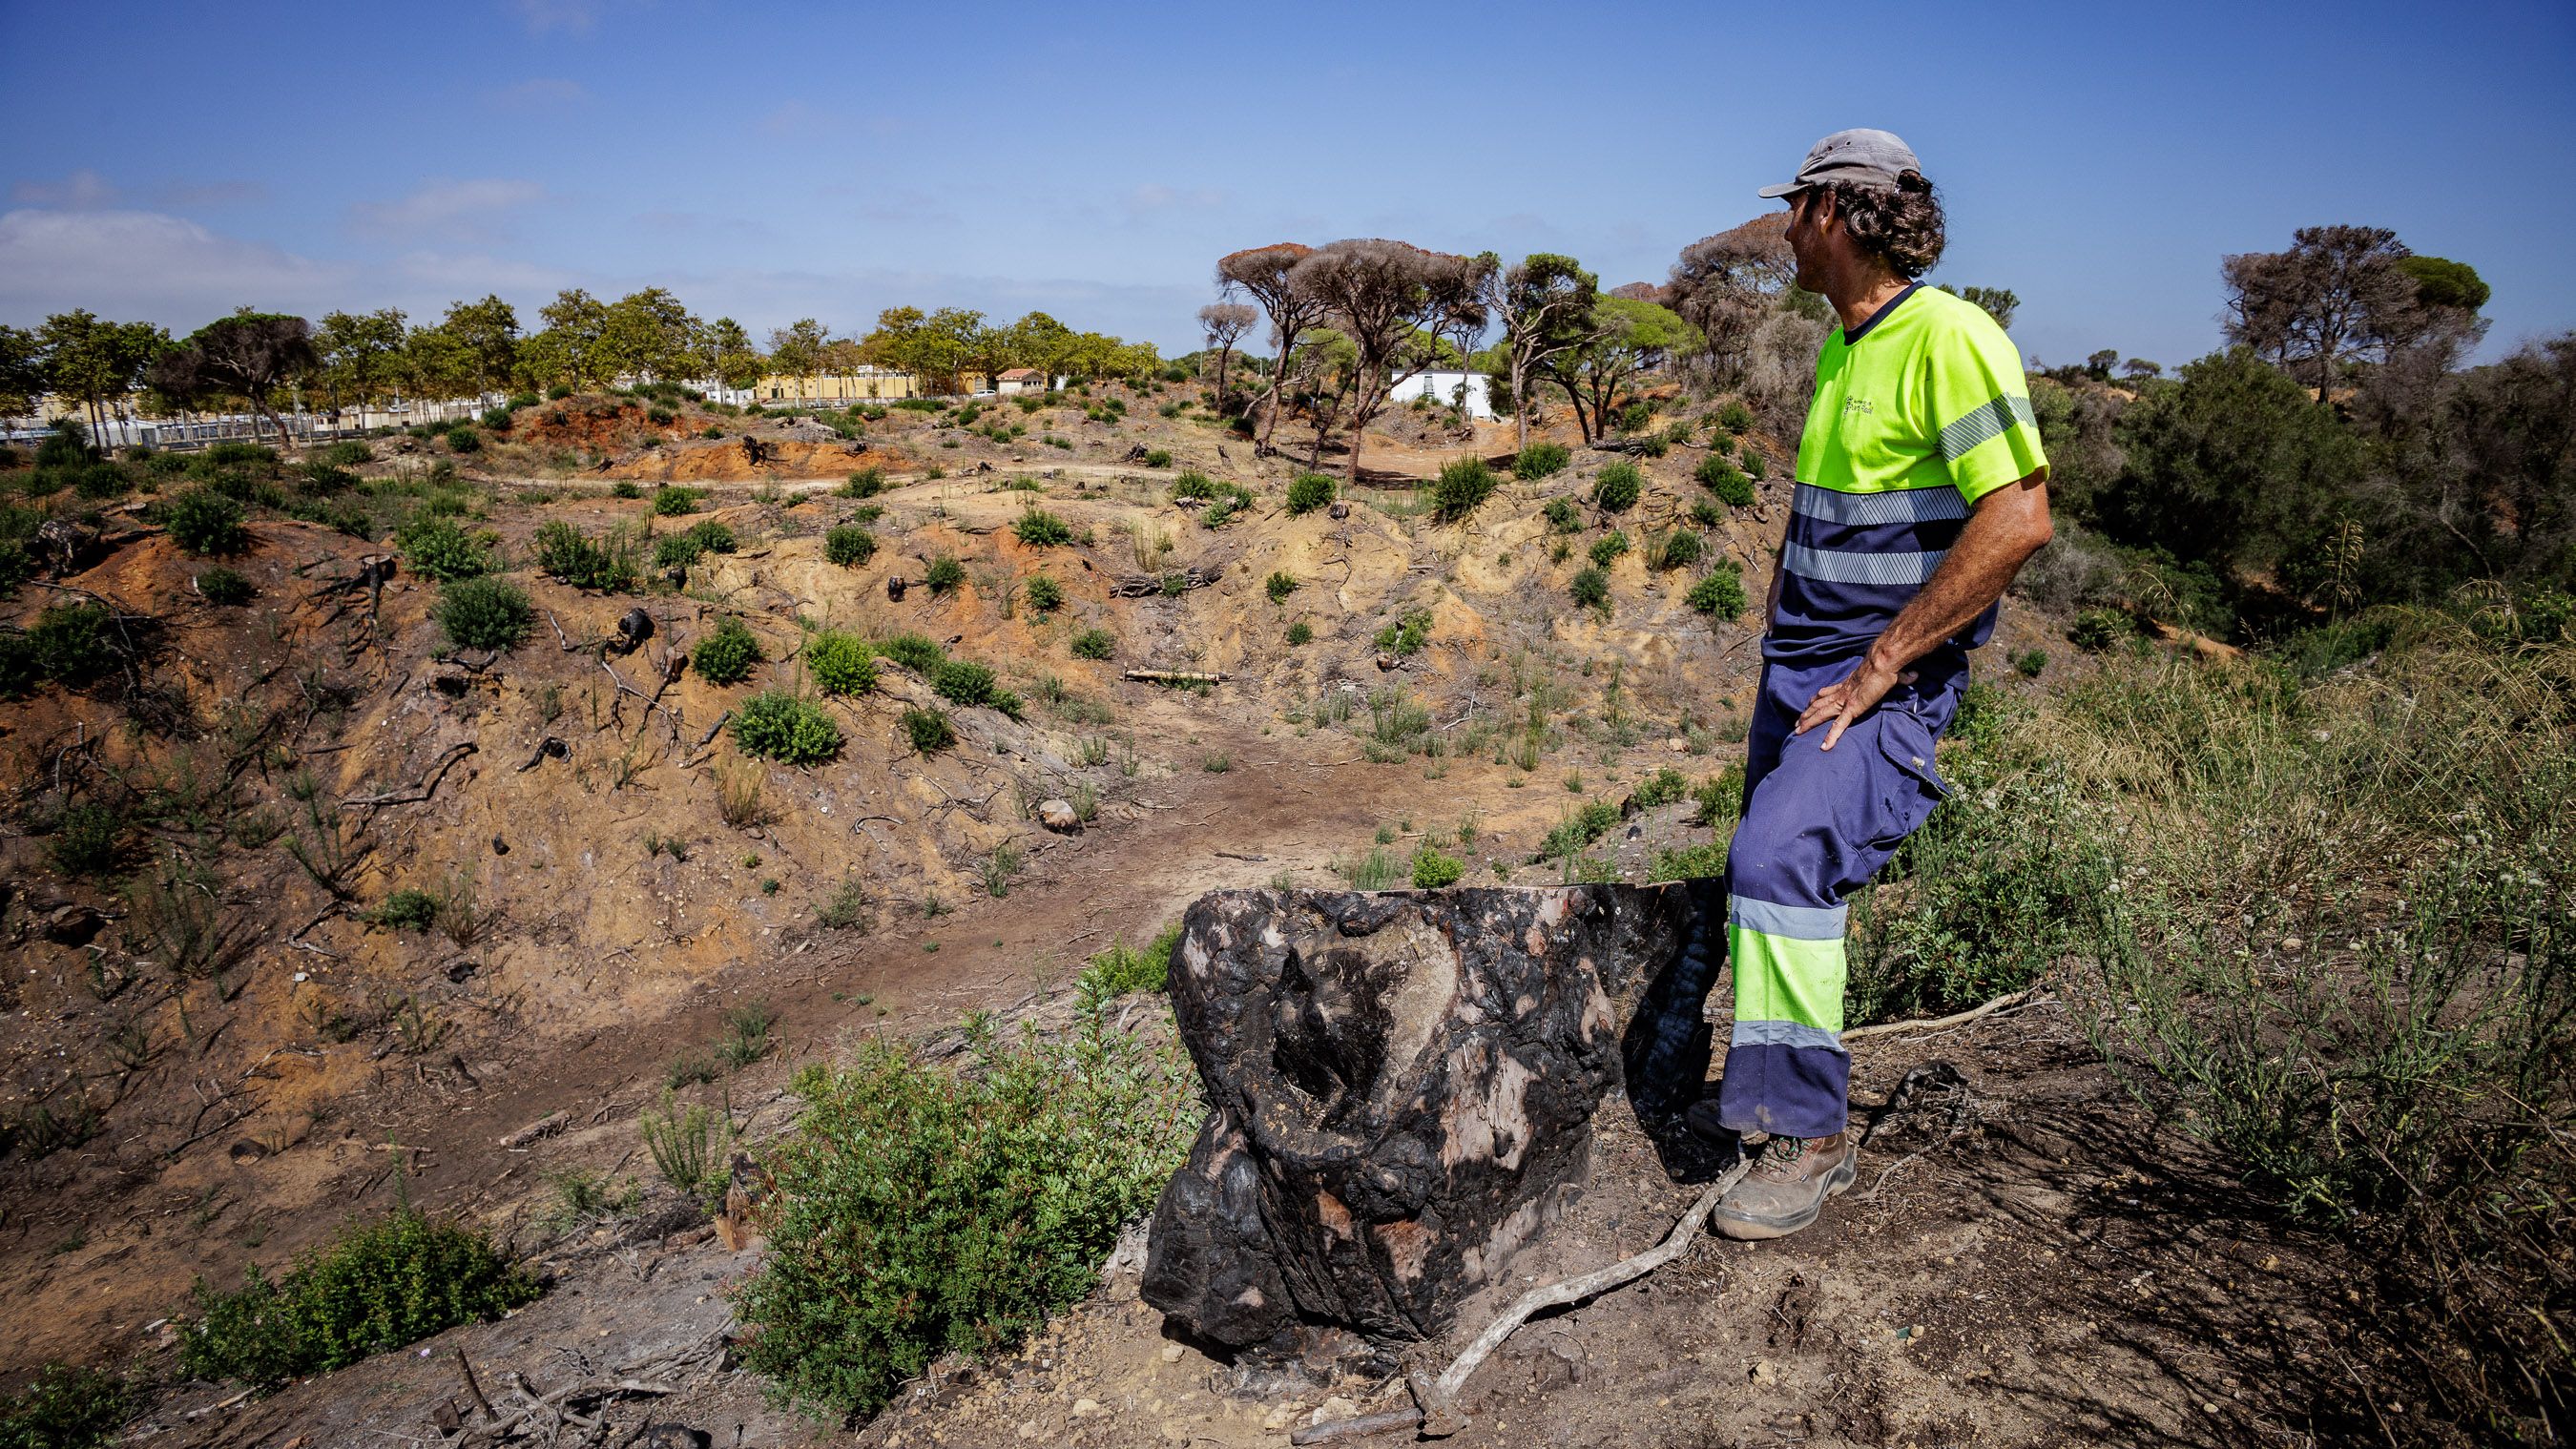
375	1288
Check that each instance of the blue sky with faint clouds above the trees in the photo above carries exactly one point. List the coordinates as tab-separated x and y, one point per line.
828	161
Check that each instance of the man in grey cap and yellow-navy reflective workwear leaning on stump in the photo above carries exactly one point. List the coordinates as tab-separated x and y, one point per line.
1920	495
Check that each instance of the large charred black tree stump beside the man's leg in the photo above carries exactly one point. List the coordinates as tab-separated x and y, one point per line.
1403	1090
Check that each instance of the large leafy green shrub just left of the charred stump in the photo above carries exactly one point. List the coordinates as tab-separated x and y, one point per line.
926	1211
